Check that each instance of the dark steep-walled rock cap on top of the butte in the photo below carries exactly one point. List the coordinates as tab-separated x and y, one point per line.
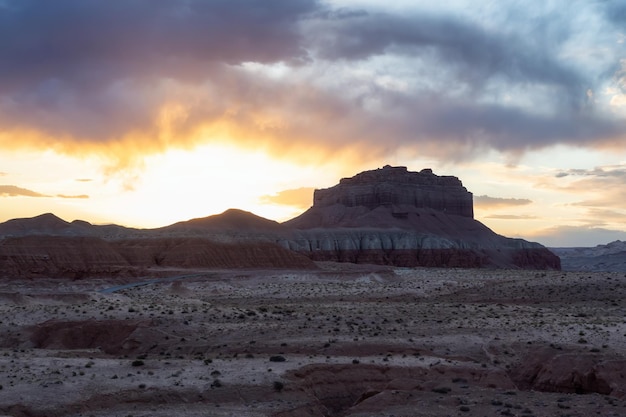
398	186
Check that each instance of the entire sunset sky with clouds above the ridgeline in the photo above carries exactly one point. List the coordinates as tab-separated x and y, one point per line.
148	112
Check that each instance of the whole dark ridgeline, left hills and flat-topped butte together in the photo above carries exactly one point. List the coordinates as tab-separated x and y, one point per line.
387	216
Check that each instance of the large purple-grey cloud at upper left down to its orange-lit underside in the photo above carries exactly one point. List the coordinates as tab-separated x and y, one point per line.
89	69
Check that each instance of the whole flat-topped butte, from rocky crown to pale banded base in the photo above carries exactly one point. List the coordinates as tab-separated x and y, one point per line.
395	217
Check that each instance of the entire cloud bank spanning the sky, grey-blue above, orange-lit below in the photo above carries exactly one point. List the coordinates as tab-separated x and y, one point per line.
299	78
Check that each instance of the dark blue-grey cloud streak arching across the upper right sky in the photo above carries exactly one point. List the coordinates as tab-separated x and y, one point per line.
473	52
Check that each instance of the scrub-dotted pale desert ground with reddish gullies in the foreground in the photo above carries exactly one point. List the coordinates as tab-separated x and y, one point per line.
340	340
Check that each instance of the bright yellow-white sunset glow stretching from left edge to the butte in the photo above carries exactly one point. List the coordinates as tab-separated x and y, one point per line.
164	188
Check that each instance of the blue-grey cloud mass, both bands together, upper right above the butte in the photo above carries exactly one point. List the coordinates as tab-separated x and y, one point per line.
479	62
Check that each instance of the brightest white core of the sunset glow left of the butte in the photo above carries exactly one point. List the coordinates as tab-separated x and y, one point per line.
183	184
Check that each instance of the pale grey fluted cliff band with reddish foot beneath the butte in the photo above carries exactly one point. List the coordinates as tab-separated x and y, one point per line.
413	249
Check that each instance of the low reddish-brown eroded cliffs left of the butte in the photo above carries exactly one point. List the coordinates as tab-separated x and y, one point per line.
78	257
